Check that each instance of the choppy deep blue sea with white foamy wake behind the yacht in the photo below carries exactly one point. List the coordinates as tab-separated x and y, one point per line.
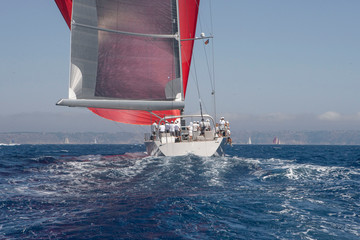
117	192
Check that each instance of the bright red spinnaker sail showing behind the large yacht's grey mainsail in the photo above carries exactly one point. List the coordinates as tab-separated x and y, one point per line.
188	12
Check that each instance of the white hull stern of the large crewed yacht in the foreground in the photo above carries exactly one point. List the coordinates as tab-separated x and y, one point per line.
199	148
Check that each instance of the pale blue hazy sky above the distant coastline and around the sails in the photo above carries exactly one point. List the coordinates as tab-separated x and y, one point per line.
279	65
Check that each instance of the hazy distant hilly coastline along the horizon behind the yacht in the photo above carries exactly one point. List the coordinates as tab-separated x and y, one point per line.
335	137
